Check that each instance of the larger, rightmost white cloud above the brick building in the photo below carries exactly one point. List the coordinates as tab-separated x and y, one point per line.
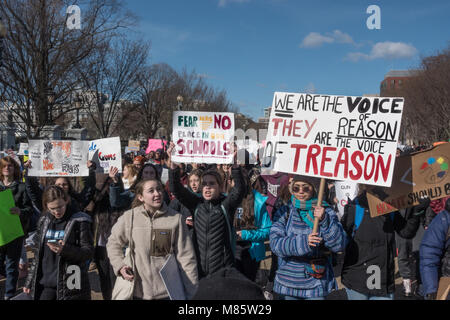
385	50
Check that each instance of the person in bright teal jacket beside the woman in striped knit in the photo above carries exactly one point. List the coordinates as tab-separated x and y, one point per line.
252	224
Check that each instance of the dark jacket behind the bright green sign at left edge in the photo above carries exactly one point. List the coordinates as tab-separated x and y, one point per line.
22	201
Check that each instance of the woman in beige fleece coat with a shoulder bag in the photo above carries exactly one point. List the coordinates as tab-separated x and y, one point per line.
158	231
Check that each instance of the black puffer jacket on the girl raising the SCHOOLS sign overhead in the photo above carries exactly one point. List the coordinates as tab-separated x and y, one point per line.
213	236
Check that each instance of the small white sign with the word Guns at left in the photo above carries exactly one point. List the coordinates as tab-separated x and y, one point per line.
106	153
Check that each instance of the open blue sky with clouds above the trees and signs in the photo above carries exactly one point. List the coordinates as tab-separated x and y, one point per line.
252	48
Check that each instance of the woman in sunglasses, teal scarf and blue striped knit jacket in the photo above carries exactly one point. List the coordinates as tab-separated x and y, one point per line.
305	270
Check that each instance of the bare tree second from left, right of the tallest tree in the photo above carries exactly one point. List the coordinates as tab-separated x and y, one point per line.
109	79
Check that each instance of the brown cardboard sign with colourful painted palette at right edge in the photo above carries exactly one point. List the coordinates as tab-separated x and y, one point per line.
420	174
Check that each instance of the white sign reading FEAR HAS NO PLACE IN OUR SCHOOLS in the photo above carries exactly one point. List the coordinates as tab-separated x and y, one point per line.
203	137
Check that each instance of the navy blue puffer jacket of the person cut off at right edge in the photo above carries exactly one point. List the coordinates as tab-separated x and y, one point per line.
435	253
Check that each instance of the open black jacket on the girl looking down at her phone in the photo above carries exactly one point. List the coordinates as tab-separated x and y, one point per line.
78	249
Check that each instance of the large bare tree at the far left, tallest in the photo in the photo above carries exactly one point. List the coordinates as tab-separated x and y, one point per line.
42	53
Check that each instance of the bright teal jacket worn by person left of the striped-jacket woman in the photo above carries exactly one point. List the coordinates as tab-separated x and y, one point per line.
263	224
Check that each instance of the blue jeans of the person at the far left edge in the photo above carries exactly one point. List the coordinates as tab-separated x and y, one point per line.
12	252
